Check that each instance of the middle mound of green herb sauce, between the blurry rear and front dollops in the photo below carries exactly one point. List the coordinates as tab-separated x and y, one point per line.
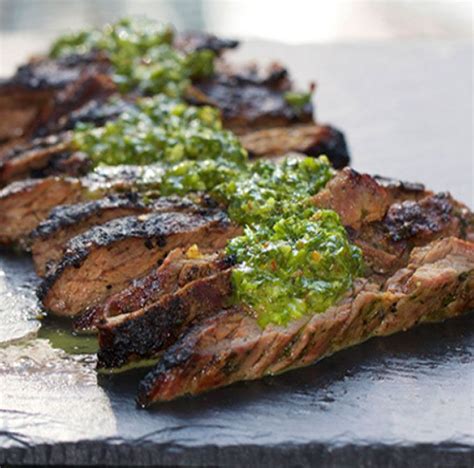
160	130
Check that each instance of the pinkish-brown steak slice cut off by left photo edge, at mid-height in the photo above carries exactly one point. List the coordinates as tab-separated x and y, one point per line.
25	203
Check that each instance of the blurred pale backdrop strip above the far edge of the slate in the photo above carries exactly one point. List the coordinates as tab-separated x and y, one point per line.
28	25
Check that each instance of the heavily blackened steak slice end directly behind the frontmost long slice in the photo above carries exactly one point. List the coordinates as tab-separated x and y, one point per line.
143	334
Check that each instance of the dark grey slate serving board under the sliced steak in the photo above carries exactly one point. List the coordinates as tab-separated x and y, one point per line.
406	400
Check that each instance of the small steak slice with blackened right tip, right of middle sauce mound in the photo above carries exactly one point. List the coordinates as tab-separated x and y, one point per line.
311	139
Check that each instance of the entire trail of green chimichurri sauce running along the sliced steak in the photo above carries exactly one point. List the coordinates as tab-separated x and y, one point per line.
293	259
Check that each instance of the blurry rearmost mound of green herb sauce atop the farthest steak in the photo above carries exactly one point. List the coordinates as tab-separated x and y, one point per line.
142	54
